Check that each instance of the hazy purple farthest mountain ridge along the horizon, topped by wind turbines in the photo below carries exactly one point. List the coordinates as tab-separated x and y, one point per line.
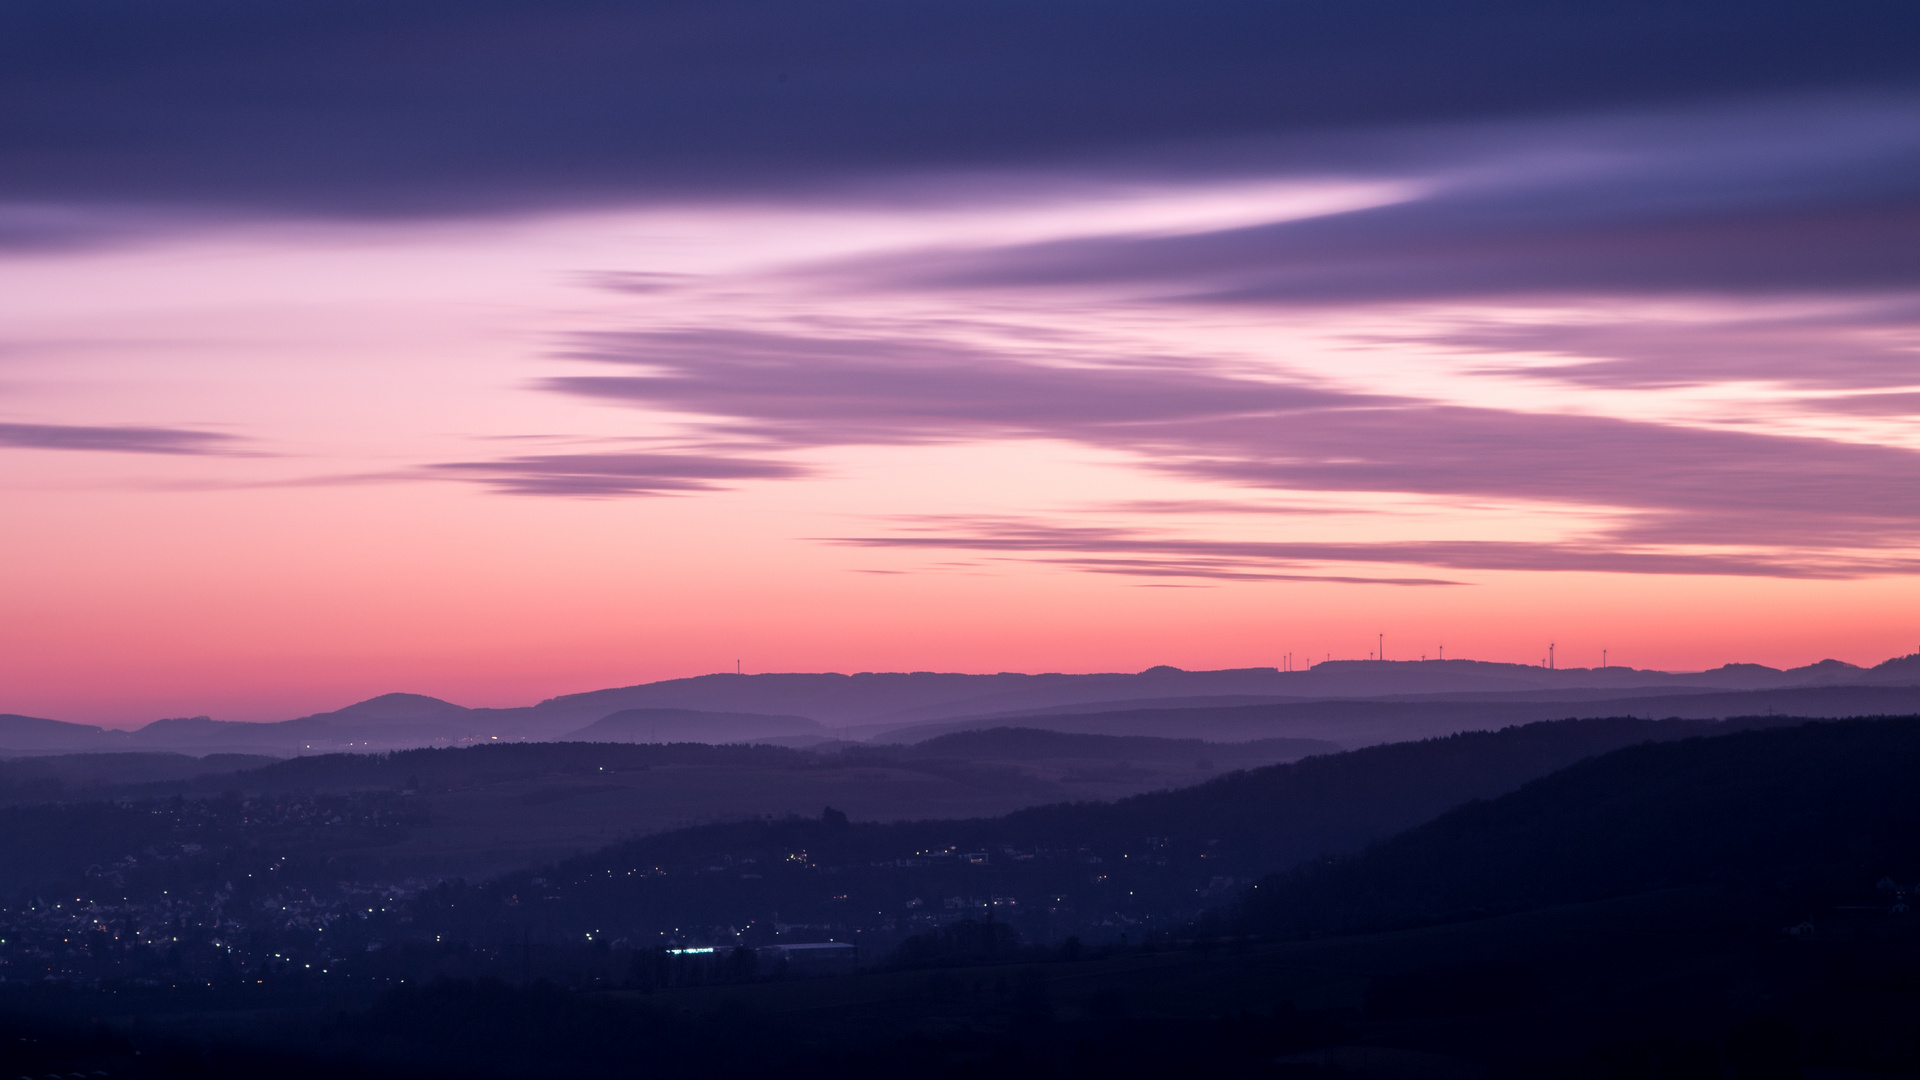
1347	702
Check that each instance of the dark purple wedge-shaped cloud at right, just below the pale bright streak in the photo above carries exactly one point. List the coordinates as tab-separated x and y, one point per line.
1458	249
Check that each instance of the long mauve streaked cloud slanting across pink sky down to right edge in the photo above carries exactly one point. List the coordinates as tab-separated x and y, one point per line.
1800	504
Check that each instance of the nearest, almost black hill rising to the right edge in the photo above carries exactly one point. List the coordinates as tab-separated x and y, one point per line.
1812	812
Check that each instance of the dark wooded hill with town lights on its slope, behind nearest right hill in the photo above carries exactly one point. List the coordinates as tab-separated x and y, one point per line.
1143	858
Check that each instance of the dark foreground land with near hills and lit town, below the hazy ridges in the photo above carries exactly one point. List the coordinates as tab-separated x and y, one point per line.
1587	898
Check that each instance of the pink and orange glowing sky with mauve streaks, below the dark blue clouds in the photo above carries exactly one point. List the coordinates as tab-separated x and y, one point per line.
264	468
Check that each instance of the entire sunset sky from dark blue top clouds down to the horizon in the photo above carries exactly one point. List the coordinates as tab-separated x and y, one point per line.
498	351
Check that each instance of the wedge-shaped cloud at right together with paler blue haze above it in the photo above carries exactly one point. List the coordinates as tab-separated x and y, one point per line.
1756	201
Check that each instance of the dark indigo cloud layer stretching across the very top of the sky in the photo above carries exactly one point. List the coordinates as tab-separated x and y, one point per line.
435	107
